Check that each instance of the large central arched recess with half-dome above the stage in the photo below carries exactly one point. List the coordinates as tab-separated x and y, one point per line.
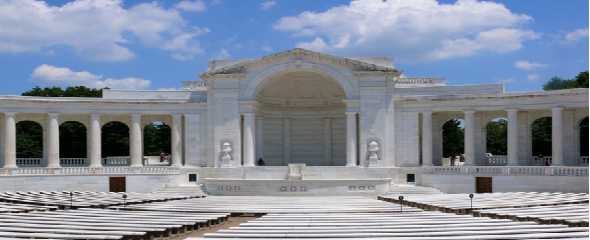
304	119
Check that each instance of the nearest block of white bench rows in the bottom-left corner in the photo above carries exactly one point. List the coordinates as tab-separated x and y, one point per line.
104	224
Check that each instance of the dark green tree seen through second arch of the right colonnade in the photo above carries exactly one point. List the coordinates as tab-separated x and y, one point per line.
497	137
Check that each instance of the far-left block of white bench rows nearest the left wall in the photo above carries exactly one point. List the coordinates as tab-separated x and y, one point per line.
86	199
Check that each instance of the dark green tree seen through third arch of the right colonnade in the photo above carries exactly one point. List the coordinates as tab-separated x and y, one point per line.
542	137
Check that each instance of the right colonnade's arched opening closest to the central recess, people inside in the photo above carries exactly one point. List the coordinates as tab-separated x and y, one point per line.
454	142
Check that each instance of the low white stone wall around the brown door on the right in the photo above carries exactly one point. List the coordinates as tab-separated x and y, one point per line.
467	183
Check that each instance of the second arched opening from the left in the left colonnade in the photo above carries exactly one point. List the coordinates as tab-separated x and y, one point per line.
73	144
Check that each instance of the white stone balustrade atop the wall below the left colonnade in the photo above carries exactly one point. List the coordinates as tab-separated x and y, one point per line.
88	171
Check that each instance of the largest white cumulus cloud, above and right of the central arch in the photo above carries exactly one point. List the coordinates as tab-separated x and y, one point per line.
411	30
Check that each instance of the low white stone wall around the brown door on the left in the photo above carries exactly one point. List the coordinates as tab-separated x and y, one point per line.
134	183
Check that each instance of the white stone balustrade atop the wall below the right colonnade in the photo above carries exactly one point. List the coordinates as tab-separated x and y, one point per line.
533	171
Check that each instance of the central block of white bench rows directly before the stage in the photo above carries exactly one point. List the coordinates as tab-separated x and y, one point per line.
239	205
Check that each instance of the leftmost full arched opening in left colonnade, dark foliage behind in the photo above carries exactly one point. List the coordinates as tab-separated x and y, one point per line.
29	144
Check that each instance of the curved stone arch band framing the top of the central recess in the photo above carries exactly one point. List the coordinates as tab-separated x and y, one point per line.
248	93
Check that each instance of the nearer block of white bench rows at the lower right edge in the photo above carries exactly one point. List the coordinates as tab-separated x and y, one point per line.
571	215
